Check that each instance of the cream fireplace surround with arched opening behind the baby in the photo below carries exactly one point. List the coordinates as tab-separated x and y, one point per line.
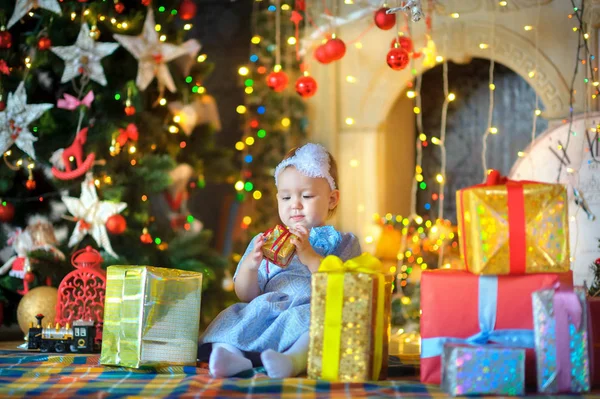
366	147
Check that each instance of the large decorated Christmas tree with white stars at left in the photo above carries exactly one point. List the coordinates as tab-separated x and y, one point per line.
106	127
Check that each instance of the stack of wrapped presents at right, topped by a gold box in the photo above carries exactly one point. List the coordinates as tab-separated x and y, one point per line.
487	329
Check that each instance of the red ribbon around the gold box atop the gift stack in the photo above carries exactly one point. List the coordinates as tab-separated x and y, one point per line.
516	219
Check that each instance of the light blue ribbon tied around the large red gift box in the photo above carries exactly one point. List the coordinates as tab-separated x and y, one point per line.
488	303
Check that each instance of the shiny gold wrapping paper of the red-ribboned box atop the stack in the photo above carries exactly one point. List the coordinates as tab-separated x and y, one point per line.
483	221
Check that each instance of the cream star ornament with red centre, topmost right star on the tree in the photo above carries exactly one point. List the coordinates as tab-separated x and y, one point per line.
153	55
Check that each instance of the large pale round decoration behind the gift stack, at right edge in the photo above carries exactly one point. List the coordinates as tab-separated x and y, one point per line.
581	174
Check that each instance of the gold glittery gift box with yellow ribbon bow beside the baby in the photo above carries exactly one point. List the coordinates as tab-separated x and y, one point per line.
350	320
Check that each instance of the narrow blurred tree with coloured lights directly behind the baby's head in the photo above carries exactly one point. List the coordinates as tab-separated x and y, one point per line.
274	110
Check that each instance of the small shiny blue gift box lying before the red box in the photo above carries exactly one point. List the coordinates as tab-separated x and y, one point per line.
483	369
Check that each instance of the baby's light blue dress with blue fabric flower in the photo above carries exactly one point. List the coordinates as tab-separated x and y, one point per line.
281	314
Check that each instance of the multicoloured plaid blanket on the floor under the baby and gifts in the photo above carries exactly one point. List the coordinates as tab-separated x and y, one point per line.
52	376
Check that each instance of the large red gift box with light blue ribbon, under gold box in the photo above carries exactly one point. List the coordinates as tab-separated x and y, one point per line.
450	309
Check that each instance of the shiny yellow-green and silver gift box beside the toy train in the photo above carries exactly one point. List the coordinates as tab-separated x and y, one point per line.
151	317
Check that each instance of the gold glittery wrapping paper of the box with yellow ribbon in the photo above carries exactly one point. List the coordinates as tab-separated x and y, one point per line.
357	360
